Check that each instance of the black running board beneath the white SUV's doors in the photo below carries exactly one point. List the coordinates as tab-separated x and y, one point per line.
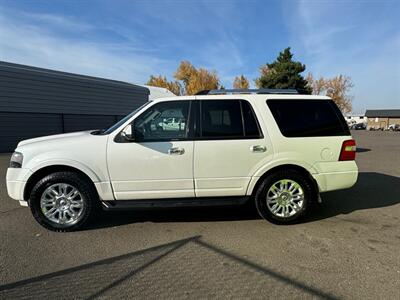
171	203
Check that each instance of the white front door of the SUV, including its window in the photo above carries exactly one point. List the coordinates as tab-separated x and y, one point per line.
159	162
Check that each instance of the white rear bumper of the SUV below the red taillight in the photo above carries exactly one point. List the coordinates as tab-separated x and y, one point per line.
336	180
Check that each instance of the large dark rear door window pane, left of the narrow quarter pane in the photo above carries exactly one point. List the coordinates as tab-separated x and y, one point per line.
221	119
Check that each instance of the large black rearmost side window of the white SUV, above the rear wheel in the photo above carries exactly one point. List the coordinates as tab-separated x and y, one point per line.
307	118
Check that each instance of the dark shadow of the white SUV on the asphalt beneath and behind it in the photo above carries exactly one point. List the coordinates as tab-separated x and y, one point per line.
372	190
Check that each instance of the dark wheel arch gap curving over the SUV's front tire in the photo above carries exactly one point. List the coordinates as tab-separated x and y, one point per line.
44	171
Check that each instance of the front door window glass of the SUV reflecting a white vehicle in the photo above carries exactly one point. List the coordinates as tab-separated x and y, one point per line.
164	121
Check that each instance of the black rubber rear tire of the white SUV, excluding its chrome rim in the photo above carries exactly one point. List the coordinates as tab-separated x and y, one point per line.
269	181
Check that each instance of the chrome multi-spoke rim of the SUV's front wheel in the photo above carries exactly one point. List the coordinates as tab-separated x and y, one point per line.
62	203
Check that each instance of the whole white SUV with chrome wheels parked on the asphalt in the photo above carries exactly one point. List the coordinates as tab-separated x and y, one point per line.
274	146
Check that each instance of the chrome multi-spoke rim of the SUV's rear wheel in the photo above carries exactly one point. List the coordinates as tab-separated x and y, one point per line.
285	198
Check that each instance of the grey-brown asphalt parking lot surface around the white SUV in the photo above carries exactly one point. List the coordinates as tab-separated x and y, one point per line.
347	247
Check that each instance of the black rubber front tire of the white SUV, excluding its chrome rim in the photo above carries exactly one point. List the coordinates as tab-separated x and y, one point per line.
85	188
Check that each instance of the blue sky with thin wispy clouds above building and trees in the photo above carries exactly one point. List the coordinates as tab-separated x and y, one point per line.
130	40
